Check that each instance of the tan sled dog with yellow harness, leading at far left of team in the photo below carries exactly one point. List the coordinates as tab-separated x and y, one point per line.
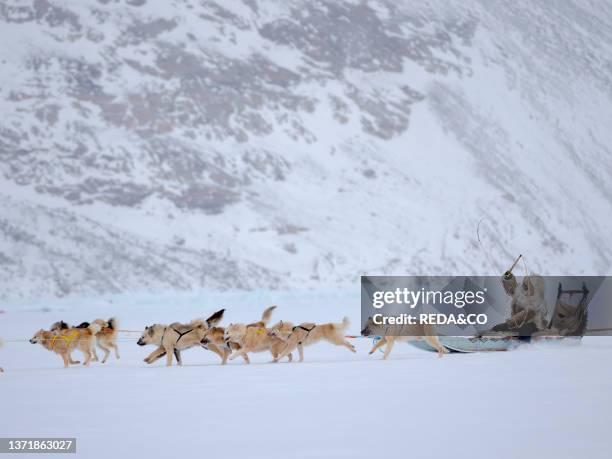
65	341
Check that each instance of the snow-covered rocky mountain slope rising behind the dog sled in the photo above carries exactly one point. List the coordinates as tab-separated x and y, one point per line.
282	144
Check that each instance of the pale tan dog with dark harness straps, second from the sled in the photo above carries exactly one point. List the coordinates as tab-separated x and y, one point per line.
308	333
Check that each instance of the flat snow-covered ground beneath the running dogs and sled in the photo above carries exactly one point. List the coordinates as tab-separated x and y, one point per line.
536	401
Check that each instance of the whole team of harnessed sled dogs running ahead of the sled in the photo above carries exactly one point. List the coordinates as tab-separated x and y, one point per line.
236	340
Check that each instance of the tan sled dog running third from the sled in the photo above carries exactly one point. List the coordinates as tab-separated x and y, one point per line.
259	339
